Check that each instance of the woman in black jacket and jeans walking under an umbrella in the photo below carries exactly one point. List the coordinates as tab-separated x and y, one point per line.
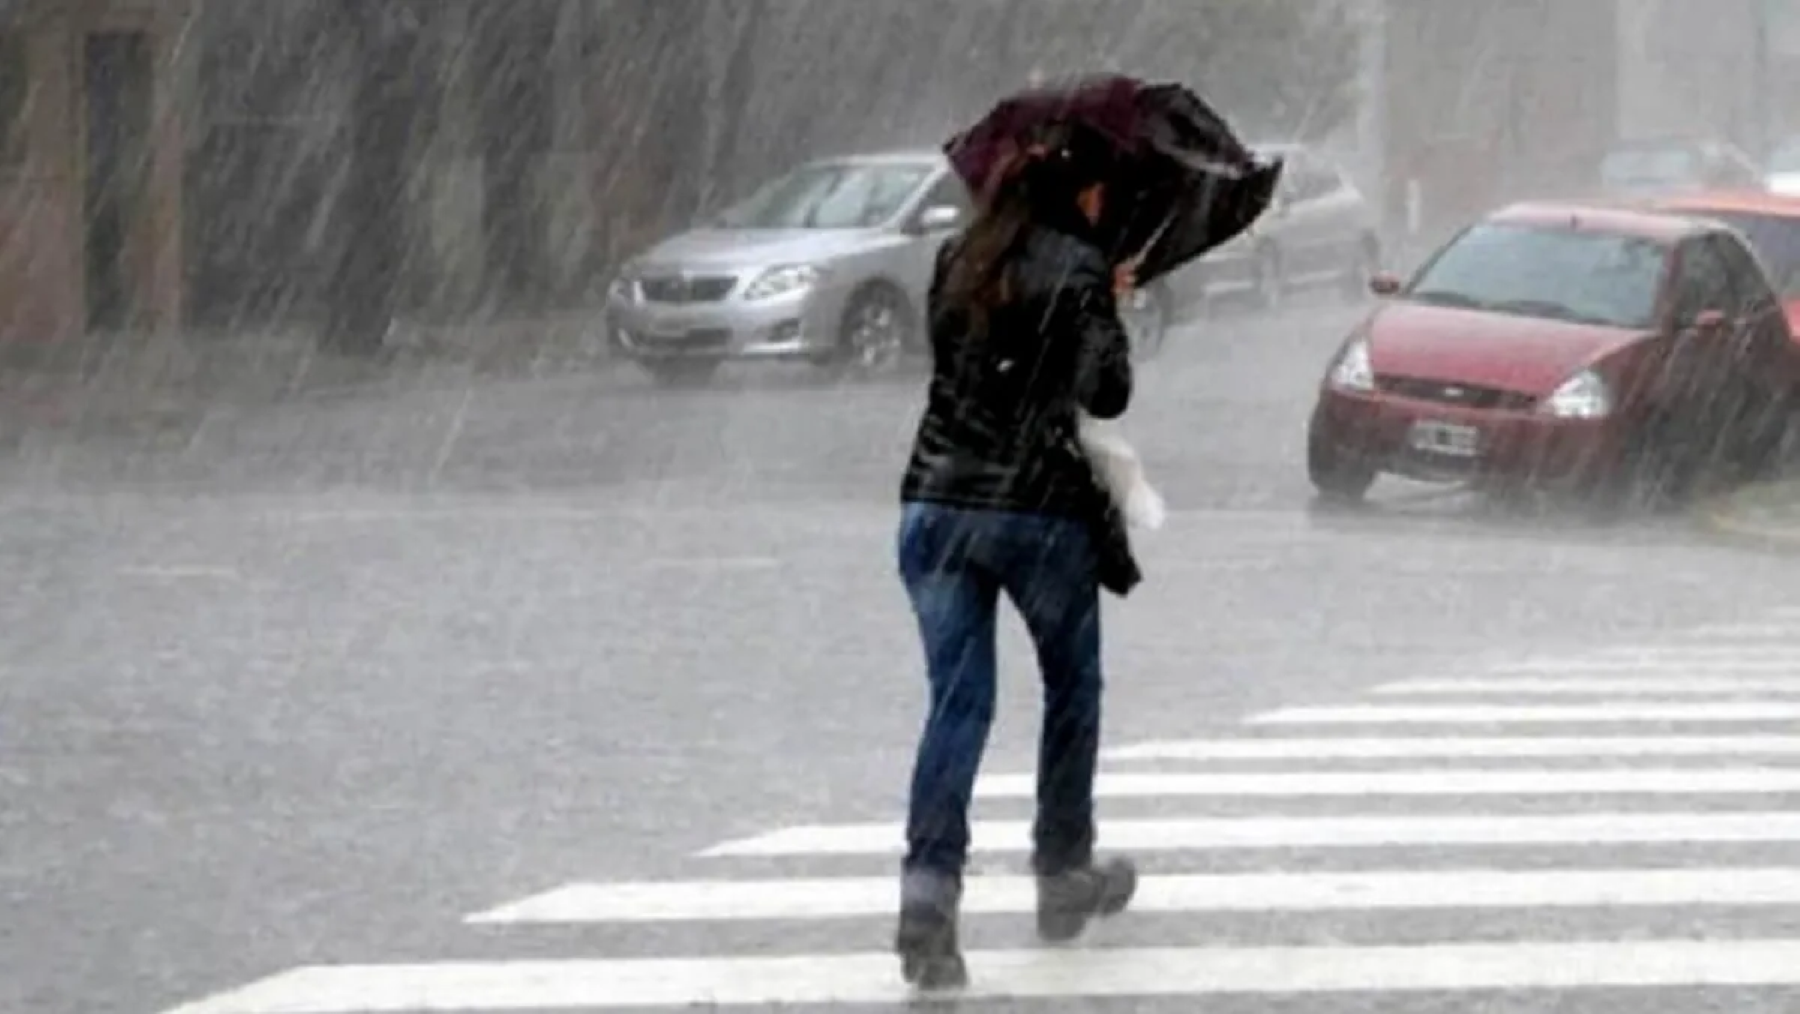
998	498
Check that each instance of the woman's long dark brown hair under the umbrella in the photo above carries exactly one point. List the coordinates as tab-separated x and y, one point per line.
1039	186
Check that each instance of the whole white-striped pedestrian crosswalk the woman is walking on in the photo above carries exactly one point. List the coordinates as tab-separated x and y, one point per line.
1560	824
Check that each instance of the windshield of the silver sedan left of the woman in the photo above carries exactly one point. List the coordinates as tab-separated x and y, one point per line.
841	195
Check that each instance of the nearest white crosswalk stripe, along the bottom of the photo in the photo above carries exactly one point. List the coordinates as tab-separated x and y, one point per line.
1012	975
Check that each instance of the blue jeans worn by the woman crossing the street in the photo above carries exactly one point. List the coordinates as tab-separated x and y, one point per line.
957	563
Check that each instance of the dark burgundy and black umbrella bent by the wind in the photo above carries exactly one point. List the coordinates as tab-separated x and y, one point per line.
1185	183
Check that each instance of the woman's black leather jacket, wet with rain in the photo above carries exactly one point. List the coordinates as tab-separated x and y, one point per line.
1000	426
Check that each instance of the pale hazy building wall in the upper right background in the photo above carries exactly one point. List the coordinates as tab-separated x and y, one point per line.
1489	102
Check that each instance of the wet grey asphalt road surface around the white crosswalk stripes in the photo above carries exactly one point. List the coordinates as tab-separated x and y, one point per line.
310	685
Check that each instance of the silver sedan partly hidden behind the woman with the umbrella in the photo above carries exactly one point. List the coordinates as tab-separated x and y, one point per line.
827	264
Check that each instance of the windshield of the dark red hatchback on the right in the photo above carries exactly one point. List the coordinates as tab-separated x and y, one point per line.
1549	273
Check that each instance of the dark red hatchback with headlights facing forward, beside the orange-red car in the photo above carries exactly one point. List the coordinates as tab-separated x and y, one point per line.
1570	347
